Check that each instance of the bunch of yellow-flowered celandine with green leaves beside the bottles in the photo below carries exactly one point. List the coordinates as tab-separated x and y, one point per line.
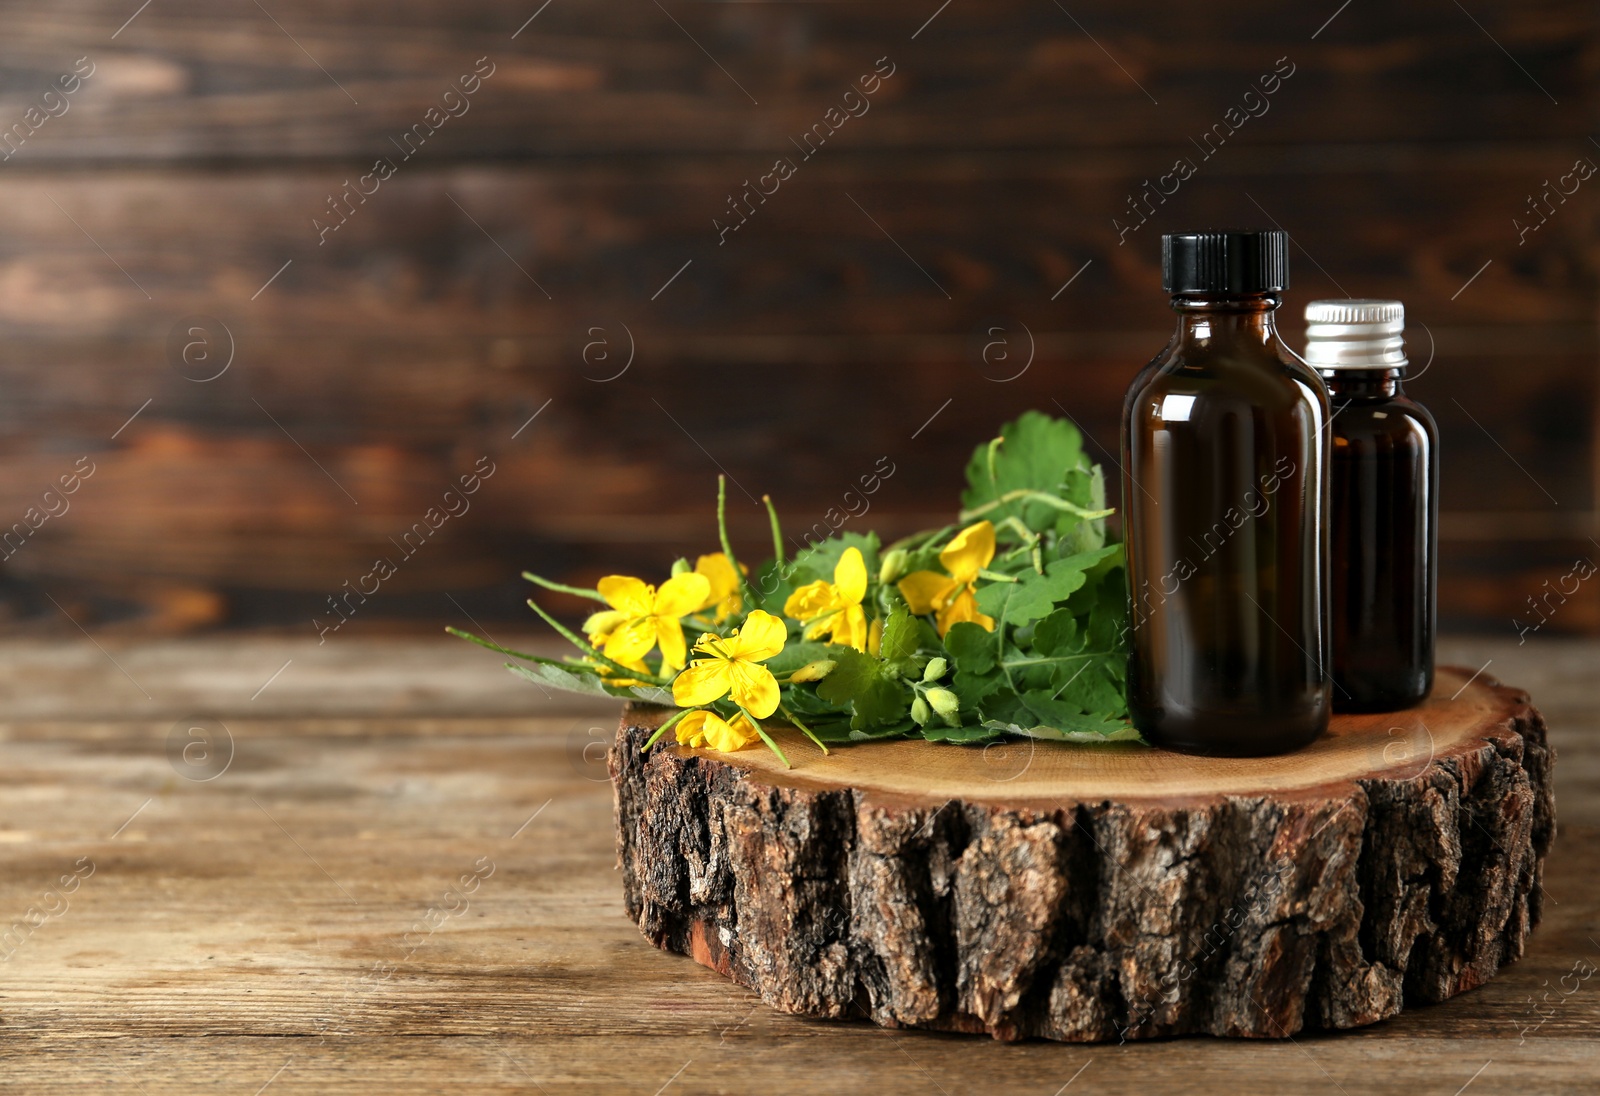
1028	641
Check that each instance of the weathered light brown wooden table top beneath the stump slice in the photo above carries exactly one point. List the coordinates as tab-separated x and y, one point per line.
406	881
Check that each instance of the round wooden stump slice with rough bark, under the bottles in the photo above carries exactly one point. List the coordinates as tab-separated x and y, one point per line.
1039	890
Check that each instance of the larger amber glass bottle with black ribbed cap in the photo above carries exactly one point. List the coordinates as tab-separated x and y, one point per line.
1225	498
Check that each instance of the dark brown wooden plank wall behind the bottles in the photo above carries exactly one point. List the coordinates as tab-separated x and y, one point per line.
473	287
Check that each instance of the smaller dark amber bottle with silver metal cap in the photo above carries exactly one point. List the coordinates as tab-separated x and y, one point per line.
1385	519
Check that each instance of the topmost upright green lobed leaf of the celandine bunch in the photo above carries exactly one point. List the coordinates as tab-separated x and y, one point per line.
1036	454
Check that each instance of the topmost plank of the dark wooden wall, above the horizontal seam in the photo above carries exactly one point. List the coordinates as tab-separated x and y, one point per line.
201	81
